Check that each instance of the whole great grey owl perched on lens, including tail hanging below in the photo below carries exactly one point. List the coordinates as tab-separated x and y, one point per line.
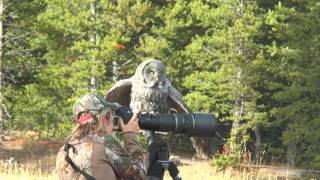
149	90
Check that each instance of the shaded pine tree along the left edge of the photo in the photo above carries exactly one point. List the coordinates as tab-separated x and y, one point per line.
20	61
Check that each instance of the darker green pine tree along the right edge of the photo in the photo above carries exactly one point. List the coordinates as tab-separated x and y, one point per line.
297	109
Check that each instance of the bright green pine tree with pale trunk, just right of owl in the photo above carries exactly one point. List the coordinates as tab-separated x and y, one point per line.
221	58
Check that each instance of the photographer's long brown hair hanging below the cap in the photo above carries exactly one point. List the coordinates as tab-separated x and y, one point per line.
94	126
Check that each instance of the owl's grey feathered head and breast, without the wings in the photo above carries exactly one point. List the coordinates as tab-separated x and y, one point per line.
150	88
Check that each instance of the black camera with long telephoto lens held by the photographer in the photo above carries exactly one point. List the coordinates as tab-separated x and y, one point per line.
190	124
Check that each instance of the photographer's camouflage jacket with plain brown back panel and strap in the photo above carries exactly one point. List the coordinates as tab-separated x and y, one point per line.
118	162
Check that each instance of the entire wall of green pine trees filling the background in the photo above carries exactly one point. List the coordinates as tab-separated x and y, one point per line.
255	64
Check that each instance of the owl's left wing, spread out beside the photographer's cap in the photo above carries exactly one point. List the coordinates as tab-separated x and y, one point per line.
120	92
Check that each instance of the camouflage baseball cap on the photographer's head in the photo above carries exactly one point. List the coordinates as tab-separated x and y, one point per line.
94	104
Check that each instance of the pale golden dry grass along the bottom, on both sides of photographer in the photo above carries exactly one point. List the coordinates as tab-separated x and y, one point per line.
189	170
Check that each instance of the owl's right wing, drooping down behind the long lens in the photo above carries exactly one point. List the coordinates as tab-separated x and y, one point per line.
176	101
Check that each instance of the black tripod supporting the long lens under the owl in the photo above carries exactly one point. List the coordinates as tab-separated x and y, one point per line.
158	160
